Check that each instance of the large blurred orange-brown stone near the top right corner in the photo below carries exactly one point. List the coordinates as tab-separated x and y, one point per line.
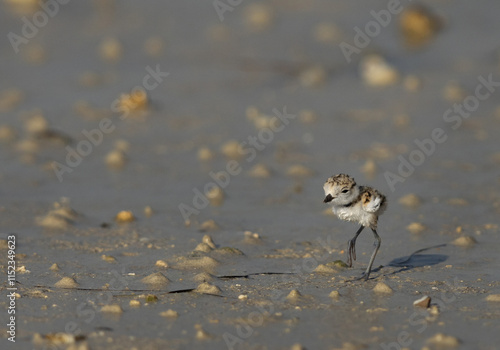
418	25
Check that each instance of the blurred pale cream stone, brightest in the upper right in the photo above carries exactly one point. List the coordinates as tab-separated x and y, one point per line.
375	71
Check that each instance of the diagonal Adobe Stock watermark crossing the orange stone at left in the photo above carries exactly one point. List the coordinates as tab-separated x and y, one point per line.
93	138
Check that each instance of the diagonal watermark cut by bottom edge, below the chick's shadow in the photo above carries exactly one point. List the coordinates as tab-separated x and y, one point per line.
419	318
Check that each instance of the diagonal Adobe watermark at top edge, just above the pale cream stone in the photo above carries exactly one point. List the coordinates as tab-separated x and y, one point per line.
372	29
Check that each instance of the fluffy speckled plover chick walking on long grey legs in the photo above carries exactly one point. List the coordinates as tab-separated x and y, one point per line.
361	204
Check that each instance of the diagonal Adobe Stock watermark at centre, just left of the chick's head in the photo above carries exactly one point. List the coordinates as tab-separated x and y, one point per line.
233	168
